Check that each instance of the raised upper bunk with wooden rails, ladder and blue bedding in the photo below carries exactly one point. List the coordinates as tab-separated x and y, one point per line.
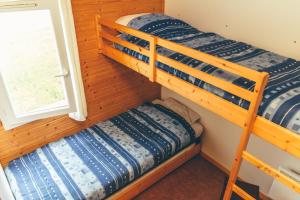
160	48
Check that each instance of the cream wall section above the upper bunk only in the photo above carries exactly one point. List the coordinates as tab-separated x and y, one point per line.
270	24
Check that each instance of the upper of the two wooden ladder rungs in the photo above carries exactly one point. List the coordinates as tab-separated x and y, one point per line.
272	172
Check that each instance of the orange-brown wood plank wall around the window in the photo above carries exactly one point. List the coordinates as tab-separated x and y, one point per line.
109	87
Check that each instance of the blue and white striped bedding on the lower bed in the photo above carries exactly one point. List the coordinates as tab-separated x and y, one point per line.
100	160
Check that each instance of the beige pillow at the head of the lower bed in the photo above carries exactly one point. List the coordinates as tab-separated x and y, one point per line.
189	115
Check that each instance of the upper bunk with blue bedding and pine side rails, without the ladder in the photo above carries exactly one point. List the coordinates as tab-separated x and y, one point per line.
222	75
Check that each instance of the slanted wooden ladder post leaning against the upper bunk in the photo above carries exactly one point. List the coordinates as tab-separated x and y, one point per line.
247	130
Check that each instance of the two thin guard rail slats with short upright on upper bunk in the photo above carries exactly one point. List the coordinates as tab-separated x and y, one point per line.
154	56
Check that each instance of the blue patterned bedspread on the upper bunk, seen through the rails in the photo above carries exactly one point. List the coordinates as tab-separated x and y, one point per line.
281	102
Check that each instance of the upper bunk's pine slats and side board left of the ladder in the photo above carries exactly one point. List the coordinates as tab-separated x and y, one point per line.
108	35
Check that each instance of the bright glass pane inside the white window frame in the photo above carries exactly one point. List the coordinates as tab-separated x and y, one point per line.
30	62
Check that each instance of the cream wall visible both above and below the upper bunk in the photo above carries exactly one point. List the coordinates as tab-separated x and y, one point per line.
270	24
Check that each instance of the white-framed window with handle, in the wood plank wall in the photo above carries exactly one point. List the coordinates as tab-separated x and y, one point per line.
38	60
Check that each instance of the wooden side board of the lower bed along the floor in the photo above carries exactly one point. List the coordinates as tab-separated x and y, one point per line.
141	184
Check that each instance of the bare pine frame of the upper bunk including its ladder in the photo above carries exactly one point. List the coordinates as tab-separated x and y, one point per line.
248	120
